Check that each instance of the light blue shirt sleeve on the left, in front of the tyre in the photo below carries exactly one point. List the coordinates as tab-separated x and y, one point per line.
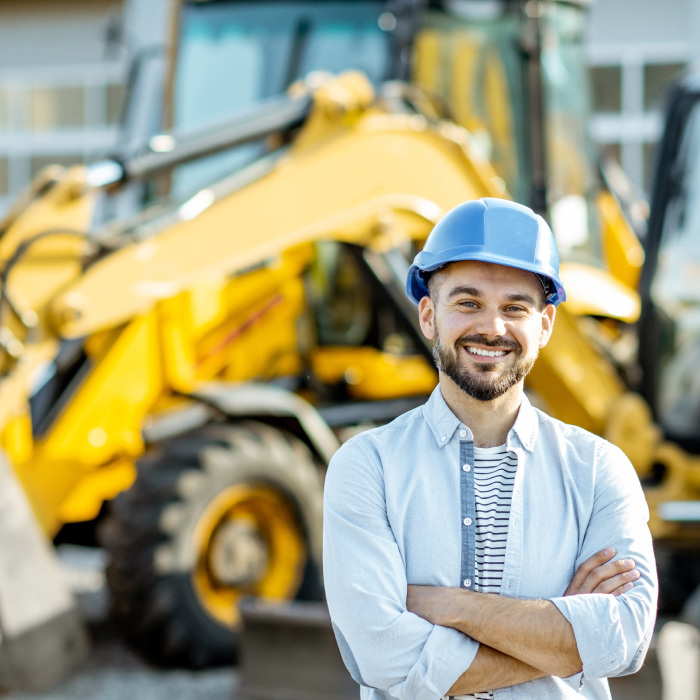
383	645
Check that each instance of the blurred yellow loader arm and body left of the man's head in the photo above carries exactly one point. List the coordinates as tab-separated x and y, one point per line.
163	316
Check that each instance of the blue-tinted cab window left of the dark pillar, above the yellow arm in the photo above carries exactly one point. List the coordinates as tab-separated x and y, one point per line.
232	55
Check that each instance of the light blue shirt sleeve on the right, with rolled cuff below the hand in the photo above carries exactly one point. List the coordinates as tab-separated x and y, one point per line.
613	633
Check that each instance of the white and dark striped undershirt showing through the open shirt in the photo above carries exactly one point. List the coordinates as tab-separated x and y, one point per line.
494	476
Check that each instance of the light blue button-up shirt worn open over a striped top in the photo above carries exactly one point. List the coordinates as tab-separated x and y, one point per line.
399	509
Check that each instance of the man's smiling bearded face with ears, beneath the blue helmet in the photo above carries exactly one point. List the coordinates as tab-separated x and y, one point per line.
488	324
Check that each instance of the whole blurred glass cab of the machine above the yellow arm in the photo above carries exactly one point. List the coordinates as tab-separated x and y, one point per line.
512	73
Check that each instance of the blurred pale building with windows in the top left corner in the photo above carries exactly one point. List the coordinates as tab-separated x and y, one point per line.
62	74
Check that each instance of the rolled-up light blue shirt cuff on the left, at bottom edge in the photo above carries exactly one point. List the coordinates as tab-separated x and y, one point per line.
446	655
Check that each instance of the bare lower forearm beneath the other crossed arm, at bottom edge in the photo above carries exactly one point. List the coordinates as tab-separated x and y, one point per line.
491	669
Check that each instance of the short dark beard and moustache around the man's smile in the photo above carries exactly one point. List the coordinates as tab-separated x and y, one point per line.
478	384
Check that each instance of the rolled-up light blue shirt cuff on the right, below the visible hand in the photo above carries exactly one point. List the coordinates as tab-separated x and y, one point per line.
597	627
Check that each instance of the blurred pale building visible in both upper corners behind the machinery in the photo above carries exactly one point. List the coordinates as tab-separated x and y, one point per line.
65	67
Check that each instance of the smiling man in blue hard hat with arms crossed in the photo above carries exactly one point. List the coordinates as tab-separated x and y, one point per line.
465	542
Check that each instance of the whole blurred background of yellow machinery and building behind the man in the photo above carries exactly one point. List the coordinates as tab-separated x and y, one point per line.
224	277
